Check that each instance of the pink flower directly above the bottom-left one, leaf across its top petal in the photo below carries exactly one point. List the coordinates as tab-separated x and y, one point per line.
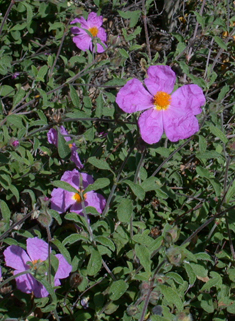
63	200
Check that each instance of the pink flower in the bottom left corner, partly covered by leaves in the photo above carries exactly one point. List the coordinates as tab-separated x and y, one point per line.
37	252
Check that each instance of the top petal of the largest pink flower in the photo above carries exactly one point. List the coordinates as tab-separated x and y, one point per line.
160	78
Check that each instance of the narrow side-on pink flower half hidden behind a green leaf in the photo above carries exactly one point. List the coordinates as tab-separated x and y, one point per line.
52	137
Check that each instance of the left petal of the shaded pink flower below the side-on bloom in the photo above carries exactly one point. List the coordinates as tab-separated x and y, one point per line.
61	200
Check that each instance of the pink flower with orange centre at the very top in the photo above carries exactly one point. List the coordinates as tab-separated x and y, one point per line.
93	24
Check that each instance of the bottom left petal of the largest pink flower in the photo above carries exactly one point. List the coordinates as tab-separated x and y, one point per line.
151	126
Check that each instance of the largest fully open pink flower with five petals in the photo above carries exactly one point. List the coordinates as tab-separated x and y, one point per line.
173	113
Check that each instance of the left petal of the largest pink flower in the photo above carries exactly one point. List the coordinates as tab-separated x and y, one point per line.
133	97
